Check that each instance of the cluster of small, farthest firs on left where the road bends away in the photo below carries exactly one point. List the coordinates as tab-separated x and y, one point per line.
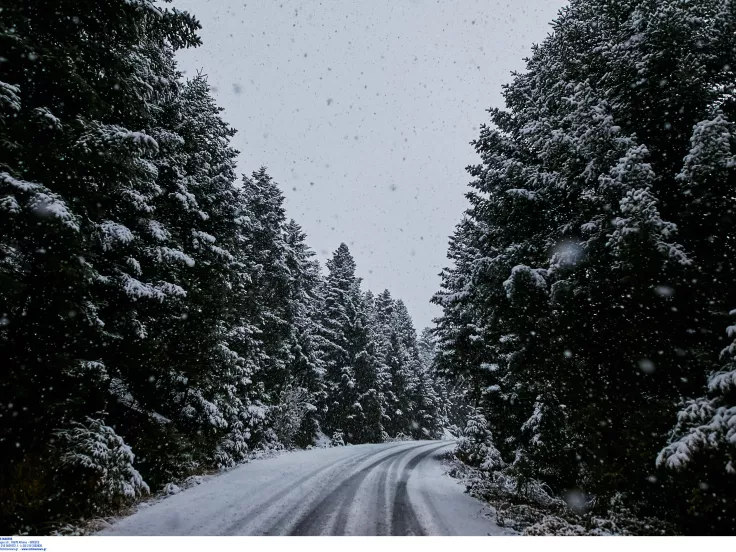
373	370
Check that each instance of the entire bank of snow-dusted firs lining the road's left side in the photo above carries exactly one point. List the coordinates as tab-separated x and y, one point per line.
157	318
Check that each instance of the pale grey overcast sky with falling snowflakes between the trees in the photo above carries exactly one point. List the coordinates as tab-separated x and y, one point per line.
363	111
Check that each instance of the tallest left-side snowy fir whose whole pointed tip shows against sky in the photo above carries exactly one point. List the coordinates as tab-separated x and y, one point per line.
202	383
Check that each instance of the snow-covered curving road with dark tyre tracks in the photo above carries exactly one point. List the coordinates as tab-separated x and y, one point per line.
384	489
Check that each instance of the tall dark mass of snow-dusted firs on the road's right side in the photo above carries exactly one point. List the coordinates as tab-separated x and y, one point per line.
590	275
